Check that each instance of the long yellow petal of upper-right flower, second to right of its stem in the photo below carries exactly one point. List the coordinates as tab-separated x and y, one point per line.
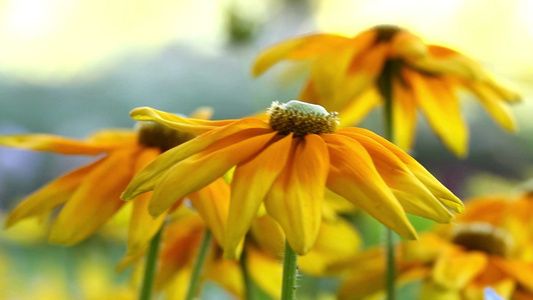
441	108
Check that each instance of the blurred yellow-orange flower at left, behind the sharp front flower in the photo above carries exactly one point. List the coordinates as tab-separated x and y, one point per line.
91	194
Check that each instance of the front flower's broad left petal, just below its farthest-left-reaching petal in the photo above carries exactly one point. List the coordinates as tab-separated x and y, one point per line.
199	170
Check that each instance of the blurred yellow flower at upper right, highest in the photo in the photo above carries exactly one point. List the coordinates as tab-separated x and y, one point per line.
347	76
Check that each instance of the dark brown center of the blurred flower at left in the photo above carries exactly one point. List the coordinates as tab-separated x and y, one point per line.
153	134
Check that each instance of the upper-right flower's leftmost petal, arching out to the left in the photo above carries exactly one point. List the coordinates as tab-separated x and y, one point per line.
307	47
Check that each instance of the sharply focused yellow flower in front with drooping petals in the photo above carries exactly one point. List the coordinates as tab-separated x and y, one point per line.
287	163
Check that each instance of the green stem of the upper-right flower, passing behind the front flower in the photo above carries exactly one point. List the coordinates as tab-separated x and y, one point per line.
386	90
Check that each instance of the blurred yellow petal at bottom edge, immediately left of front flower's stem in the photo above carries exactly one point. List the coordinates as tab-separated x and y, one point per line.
265	270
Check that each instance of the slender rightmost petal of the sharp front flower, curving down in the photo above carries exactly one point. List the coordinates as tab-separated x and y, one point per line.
433	185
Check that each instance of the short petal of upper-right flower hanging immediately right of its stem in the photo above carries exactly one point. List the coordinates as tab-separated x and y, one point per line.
403	115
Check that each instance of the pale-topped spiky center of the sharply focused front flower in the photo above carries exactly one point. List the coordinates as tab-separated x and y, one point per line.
301	118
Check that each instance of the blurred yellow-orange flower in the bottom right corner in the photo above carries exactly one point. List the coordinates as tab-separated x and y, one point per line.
459	261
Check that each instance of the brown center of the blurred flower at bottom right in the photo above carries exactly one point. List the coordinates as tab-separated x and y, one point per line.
483	237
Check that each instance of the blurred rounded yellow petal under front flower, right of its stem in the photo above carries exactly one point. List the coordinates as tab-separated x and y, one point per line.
337	241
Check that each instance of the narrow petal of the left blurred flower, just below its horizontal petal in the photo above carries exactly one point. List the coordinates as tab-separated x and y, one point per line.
51	195
